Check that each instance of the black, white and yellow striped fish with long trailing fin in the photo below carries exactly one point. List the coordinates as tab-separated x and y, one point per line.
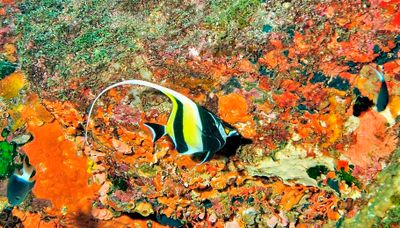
192	128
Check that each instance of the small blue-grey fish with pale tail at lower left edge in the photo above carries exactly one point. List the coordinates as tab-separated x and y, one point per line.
20	184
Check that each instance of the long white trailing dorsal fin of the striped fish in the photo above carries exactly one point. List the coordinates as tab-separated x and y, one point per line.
169	92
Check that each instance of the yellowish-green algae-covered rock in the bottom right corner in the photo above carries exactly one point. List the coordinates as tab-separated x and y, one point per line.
383	208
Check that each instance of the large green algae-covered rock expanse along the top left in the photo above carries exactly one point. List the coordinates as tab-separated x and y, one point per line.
100	39
